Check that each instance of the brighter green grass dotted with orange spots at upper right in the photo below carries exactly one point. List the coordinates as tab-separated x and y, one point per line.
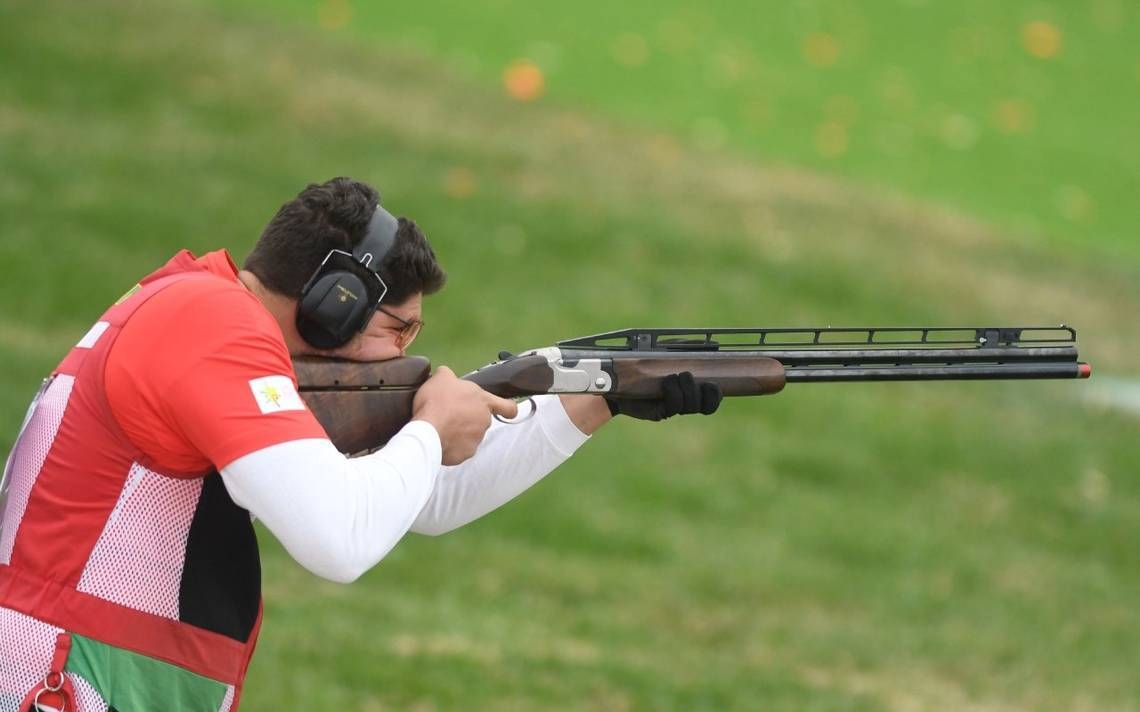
1021	112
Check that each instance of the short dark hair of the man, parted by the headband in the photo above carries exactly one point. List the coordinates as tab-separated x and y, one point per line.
335	216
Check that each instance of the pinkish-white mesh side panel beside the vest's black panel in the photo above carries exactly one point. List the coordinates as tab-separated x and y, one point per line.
139	559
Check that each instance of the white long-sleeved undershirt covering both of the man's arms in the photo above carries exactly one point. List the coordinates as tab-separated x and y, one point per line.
339	517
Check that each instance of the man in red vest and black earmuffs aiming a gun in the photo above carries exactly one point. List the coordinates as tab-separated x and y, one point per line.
129	571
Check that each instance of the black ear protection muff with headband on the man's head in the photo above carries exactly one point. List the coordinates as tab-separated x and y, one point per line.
344	293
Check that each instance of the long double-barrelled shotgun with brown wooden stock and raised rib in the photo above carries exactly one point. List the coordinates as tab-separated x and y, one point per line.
362	405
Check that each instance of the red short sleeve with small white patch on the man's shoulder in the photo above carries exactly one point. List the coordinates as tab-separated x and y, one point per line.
200	374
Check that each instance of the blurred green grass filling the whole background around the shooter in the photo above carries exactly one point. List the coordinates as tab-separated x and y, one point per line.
892	547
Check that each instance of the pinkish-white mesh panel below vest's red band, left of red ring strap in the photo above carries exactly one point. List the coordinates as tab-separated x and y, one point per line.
27	648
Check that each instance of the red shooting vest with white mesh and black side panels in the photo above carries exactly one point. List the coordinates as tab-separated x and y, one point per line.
95	541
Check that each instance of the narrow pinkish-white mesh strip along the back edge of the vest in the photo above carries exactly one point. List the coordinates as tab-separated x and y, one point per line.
28	459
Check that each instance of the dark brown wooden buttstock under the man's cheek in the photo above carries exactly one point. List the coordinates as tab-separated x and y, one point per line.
361	404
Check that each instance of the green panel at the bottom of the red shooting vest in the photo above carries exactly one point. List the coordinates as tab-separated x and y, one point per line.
133	683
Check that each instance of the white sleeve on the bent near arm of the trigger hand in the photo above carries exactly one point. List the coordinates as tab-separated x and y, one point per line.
338	517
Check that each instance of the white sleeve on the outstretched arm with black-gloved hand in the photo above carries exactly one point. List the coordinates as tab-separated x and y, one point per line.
511	459
